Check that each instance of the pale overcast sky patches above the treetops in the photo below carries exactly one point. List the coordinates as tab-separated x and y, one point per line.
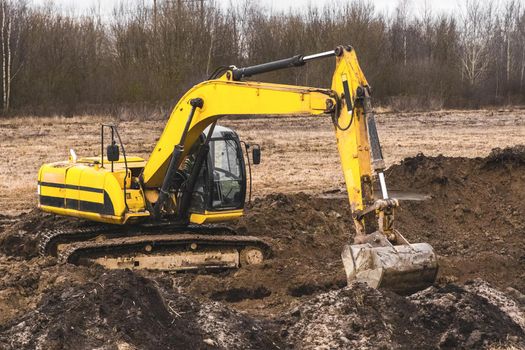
81	6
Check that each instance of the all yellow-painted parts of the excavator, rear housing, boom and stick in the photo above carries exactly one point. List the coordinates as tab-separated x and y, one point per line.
88	190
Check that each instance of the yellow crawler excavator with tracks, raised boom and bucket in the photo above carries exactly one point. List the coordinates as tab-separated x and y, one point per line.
163	213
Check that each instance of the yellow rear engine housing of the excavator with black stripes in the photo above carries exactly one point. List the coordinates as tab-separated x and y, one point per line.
87	190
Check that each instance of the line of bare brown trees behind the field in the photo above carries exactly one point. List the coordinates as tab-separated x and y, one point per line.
149	55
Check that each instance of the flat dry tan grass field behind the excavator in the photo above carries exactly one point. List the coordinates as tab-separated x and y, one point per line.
299	154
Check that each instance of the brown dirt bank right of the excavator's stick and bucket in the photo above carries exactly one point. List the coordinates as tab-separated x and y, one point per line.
474	217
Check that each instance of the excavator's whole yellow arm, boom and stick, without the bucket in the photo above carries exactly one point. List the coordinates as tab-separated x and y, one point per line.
228	96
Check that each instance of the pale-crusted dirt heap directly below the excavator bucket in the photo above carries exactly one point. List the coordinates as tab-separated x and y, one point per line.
353	317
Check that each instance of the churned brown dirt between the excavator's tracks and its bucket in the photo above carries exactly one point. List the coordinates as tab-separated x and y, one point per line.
306	235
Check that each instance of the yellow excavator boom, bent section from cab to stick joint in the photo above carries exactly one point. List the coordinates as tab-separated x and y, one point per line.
207	102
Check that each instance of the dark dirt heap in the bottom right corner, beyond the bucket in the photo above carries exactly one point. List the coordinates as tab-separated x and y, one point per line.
473	315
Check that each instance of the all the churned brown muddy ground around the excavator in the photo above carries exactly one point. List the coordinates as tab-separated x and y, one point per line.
297	298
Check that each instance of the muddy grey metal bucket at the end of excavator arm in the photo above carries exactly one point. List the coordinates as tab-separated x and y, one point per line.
404	268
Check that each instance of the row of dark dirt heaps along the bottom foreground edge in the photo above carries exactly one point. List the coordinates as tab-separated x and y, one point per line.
127	310
